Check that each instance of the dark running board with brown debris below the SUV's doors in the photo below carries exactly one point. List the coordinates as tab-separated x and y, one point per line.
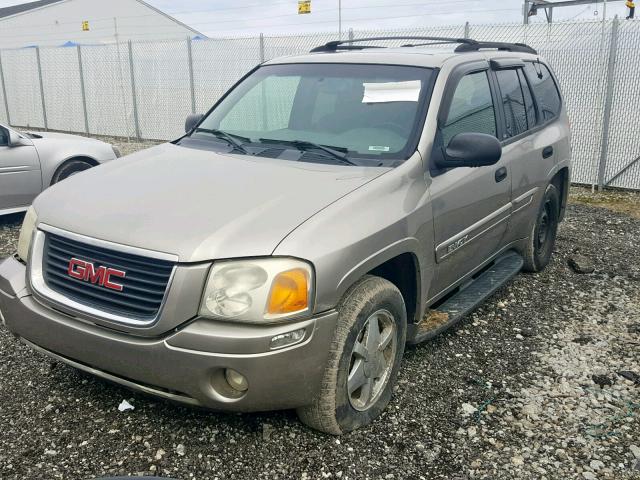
444	316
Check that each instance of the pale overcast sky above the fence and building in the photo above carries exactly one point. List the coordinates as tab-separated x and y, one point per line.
219	18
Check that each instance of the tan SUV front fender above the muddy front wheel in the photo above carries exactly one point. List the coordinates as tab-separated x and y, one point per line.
379	221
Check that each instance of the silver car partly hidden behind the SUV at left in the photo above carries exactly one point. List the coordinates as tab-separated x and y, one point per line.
32	161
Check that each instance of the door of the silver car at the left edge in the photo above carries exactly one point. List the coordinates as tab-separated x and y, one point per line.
20	176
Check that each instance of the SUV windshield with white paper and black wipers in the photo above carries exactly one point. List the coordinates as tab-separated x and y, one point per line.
351	114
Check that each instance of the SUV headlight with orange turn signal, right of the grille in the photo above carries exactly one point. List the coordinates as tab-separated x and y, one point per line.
258	290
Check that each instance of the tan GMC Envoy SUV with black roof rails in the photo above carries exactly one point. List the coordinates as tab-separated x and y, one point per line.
330	209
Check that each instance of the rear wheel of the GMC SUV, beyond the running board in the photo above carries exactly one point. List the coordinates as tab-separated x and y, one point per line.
544	230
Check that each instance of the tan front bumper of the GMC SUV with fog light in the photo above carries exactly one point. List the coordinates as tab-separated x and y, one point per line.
187	364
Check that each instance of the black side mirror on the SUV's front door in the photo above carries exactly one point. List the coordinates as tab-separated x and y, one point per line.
470	150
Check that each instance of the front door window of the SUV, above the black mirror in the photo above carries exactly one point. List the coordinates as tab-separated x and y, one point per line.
471	108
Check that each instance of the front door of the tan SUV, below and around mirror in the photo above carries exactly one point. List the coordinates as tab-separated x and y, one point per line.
471	206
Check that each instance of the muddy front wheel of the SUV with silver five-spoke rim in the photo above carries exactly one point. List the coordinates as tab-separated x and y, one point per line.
371	301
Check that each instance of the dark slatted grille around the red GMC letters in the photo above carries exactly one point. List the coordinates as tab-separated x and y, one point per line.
143	286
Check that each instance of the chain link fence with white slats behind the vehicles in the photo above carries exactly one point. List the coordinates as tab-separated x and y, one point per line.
146	89
